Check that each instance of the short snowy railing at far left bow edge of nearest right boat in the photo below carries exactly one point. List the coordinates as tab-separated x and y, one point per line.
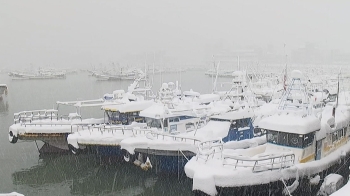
209	148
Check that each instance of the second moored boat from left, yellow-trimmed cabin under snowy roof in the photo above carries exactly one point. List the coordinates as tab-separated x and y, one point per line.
104	139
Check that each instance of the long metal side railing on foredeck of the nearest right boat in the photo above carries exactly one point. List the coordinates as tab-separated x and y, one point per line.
262	162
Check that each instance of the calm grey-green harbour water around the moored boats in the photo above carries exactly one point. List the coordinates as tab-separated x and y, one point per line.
23	170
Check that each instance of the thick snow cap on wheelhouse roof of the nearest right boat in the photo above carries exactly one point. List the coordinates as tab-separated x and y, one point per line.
292	122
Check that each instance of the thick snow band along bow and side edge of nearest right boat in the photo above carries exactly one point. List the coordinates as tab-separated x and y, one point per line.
227	176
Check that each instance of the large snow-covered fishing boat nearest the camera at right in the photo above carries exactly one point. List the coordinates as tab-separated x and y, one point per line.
302	149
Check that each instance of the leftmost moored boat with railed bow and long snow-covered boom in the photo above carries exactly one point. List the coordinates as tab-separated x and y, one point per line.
52	127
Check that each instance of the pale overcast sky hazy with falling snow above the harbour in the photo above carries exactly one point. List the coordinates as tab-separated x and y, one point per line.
82	32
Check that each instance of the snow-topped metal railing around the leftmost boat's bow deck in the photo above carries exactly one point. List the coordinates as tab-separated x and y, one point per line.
51	114
